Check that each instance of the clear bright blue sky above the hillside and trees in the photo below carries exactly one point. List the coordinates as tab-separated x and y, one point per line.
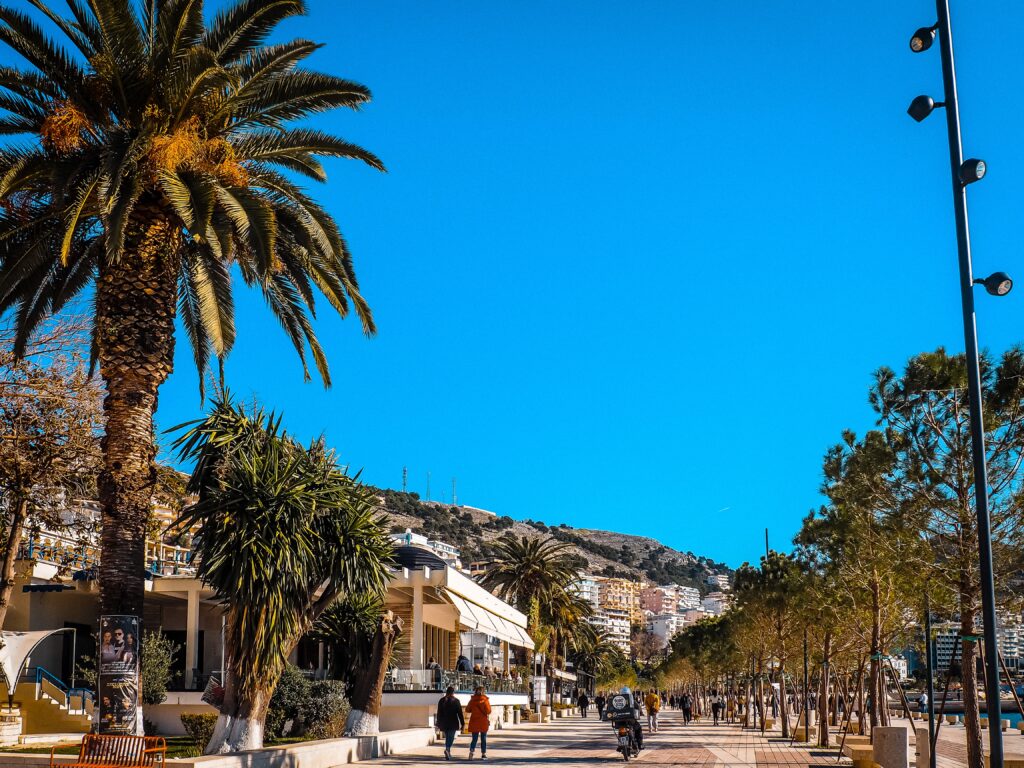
634	264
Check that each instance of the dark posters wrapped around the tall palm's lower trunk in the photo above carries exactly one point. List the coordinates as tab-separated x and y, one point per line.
118	678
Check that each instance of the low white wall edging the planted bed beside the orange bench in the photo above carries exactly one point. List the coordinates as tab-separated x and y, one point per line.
326	754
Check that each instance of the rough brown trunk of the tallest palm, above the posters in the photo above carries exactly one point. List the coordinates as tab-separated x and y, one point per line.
136	308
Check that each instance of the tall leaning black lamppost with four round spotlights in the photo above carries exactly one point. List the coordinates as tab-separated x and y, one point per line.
999	284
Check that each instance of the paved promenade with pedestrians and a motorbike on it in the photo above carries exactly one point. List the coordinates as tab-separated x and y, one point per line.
583	743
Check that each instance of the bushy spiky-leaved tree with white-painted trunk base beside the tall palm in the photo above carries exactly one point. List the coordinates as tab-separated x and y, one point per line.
282	535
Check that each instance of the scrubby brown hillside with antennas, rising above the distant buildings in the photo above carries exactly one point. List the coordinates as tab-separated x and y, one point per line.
600	552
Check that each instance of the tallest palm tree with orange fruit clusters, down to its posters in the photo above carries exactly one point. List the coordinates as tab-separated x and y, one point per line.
153	172
